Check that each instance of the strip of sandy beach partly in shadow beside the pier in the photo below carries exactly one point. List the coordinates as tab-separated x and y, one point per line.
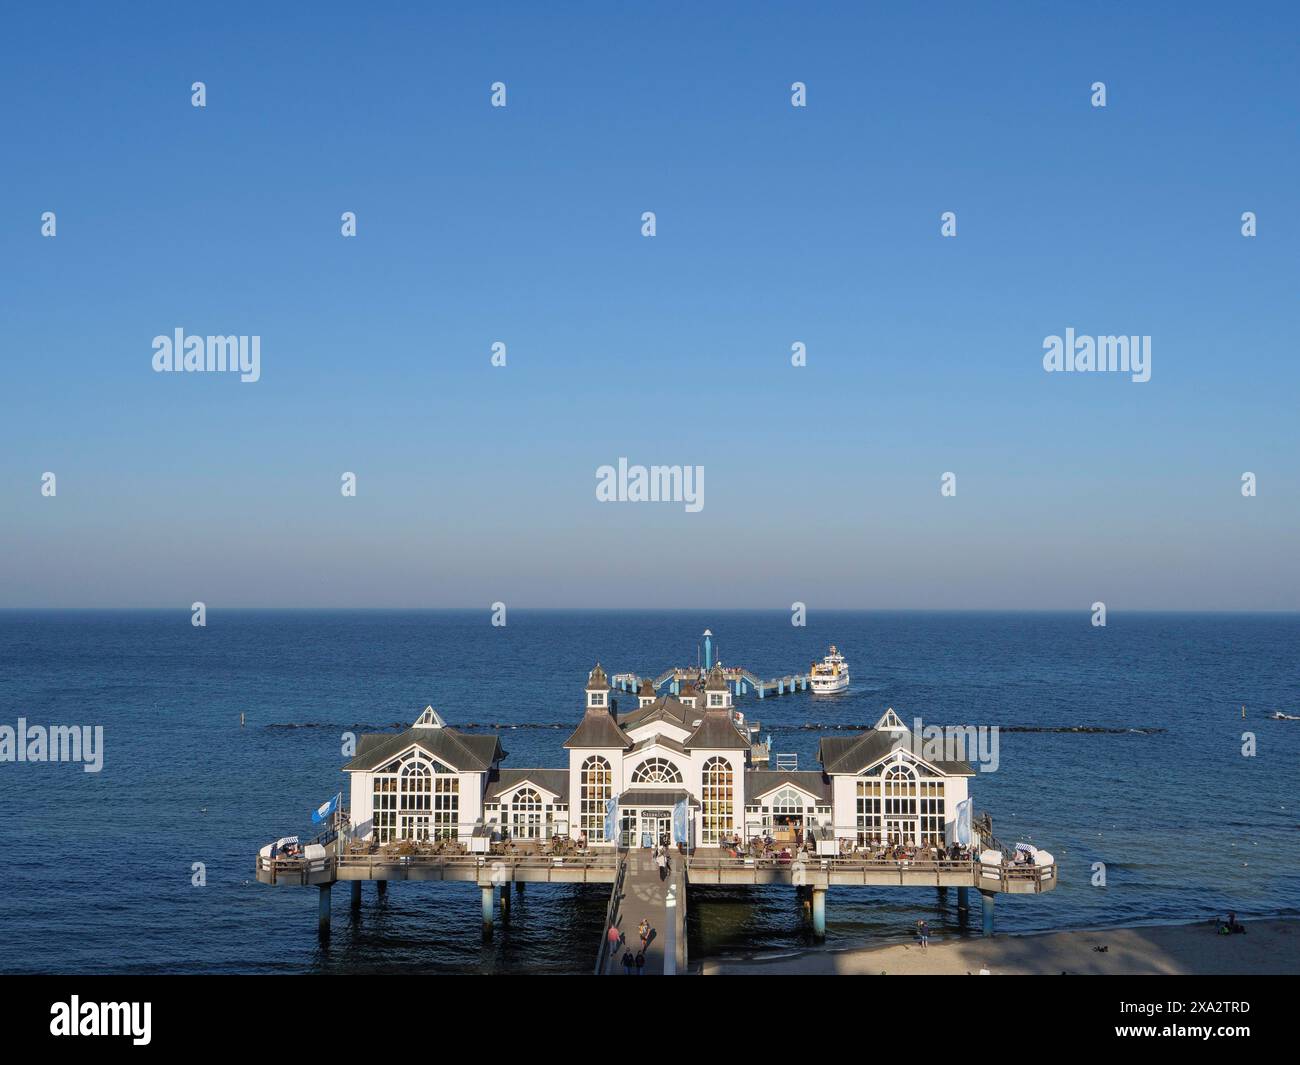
1268	947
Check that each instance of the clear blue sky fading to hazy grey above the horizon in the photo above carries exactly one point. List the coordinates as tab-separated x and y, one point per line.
775	226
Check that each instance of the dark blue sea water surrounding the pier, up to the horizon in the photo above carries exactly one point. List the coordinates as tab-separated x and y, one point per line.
99	867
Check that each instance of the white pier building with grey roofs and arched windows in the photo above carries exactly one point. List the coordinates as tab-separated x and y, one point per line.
677	770
